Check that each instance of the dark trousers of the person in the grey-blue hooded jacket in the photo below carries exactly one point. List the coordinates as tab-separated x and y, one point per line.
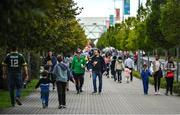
61	89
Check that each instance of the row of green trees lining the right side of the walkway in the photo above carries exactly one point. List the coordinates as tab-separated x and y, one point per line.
156	26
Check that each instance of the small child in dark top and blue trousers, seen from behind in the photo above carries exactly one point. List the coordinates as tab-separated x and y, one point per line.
44	86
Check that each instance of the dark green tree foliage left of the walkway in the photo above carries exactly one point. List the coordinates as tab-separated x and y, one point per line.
40	25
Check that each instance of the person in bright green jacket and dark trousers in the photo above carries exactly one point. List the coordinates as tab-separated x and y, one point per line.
78	68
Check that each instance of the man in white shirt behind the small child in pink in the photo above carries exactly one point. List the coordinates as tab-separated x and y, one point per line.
129	63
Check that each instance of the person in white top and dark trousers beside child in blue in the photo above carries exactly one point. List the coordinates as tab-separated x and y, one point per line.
157	74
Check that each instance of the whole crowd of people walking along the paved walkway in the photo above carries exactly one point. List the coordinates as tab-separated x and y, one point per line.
59	70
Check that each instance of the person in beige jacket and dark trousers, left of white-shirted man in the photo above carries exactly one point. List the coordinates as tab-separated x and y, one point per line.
119	67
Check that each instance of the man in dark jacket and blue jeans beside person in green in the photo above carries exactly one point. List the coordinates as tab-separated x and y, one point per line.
97	70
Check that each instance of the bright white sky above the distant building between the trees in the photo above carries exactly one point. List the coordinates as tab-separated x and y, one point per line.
103	8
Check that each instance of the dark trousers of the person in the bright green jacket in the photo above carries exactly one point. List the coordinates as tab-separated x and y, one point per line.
79	79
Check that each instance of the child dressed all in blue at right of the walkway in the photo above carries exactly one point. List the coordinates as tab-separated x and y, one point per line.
145	73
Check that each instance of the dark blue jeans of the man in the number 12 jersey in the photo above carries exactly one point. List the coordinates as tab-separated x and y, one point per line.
15	82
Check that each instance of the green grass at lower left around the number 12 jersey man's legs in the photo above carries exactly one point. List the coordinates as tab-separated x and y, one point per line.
5	98
